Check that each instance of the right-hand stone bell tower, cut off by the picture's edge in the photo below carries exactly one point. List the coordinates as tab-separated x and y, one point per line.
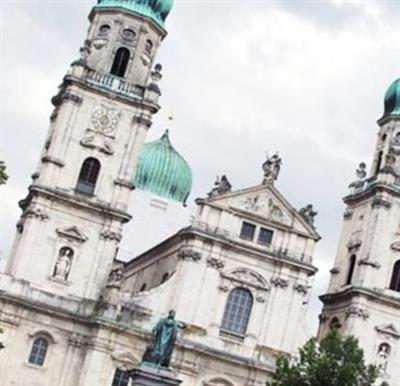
364	293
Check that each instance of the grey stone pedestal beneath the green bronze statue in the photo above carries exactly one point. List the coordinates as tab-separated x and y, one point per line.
153	376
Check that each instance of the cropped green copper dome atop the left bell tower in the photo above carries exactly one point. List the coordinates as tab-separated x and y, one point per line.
156	10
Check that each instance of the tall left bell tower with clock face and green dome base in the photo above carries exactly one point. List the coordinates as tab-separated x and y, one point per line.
70	228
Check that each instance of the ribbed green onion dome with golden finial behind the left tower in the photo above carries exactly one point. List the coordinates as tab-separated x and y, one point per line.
163	171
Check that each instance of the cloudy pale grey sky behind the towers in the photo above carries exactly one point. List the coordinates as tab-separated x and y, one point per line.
242	77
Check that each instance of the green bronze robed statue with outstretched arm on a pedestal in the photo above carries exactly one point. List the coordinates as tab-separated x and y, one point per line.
159	352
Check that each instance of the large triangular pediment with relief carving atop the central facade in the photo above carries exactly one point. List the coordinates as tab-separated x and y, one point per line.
265	203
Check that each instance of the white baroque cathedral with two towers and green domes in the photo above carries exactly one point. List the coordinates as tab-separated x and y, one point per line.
85	283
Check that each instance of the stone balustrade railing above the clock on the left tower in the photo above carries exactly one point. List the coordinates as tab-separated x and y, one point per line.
113	83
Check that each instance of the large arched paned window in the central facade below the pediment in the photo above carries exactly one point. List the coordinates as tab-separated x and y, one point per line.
237	311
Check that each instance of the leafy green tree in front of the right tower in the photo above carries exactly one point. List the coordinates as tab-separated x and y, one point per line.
335	361
